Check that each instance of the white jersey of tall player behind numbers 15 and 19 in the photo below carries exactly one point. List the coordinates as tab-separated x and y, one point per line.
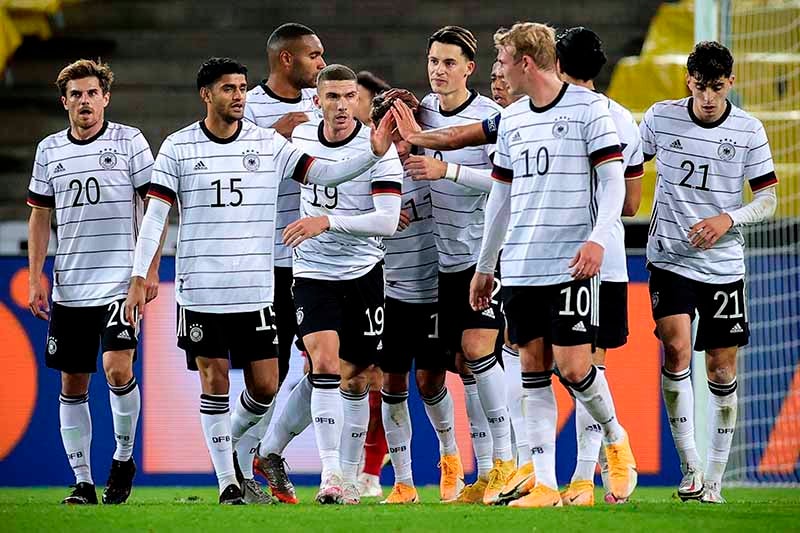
264	108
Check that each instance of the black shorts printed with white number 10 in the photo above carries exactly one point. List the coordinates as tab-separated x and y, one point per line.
564	315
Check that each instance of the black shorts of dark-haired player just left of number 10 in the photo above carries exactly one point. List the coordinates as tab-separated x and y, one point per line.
455	313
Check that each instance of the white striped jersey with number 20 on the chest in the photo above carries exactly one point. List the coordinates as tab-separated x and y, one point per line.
96	187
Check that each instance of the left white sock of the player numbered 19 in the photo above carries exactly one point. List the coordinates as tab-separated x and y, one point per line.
326	414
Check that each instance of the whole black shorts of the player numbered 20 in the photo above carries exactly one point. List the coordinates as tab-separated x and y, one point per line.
76	333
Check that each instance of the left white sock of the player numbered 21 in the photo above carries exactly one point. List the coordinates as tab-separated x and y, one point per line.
679	401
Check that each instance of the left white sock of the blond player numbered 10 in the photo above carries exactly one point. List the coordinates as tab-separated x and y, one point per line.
540	419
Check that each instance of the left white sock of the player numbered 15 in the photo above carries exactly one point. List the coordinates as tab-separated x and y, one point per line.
216	421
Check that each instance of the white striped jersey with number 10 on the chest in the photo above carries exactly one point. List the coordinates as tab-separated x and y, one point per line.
549	154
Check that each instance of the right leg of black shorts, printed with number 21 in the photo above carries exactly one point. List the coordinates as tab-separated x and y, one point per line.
722	310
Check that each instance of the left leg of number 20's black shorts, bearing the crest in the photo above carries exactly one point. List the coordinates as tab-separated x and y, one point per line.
73	338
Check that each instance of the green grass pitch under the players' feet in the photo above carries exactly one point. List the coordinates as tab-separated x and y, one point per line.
195	509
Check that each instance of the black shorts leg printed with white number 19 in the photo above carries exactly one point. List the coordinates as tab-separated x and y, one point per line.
364	319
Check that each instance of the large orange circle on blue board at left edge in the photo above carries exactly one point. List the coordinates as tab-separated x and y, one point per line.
17	380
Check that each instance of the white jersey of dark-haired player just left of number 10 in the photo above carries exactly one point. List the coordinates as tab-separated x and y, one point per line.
458	210
